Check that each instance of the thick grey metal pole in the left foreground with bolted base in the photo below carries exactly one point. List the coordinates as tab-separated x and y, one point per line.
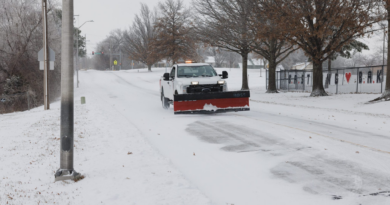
66	170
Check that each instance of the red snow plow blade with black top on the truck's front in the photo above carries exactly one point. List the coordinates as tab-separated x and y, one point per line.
206	103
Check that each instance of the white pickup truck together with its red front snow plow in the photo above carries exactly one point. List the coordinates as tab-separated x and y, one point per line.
197	88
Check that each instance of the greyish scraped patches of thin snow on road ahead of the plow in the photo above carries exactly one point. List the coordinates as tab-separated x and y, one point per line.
317	172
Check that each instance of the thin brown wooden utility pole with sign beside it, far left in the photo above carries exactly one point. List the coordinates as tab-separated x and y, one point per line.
46	57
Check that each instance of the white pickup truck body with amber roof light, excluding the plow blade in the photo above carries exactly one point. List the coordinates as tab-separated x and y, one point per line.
191	78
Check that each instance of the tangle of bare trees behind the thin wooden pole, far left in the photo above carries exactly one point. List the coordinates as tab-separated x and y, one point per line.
20	40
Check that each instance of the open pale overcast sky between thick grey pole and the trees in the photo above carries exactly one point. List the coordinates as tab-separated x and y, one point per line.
107	16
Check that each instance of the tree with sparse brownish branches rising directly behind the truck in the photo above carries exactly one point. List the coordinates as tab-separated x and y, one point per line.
175	36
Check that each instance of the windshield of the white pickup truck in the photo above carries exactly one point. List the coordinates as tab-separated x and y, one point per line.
195	71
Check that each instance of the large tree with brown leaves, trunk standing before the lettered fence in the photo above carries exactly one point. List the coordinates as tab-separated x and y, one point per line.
321	28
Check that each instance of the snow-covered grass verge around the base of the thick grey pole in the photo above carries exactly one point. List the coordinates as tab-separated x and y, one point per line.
119	166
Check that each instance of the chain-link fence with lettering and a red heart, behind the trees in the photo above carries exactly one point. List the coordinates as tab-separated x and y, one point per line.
371	79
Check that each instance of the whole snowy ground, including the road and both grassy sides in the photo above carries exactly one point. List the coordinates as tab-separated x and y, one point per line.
289	149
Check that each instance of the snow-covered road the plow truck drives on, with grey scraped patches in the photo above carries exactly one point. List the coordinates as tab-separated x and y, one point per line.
256	156
